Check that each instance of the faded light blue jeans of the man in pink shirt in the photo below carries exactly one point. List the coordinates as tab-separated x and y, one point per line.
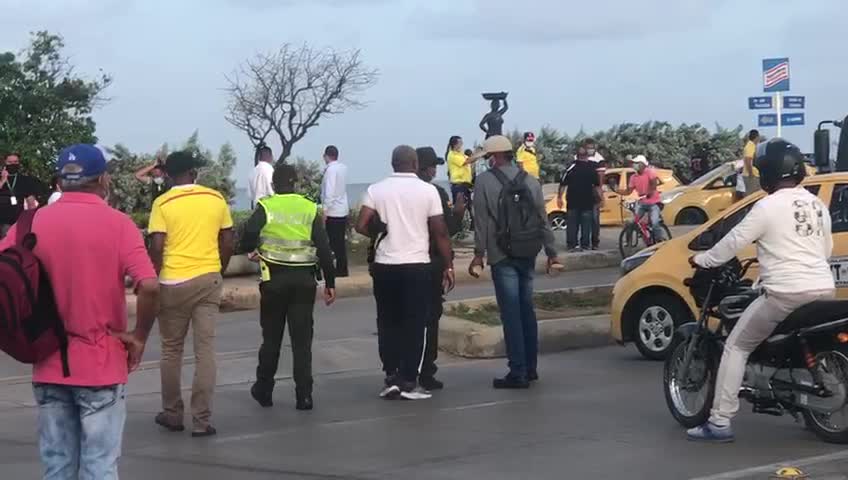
80	430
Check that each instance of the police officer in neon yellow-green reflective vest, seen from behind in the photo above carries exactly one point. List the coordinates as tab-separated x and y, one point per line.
287	232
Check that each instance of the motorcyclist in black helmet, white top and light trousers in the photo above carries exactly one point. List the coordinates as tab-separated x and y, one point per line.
792	230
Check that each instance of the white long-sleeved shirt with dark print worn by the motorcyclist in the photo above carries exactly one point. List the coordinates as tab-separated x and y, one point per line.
793	233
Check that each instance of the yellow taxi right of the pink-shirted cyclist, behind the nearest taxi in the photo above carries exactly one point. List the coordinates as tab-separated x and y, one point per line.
705	198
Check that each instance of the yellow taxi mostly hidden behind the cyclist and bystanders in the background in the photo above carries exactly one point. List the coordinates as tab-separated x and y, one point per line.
613	211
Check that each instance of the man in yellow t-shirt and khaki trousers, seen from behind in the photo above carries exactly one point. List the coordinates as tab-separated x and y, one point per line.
191	234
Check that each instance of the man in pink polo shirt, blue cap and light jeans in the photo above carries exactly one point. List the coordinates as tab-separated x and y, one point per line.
87	248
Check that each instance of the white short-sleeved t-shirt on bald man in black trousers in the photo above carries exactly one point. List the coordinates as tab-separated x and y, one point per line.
405	204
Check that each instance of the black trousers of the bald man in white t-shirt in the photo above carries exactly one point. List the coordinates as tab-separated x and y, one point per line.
403	295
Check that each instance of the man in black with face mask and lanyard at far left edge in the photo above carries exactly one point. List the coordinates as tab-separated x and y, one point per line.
18	192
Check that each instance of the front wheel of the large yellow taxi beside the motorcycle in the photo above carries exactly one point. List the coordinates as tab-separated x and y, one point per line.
656	319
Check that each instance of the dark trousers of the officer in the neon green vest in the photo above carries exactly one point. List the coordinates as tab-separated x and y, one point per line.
289	297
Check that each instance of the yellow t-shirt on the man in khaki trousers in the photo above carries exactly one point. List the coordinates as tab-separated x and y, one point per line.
191	217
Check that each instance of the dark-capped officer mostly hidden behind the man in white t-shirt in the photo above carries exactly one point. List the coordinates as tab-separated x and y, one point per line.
427	163
